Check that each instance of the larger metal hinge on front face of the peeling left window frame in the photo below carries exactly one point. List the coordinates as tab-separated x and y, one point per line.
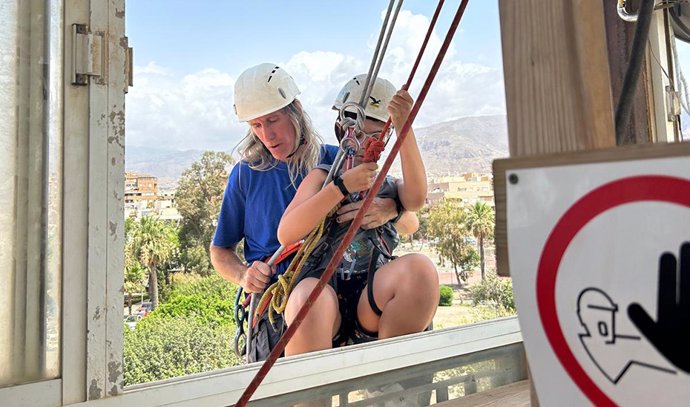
87	54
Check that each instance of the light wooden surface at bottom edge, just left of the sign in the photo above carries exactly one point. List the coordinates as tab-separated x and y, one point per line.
511	395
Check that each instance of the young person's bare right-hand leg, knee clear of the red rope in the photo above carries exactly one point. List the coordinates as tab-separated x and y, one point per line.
407	292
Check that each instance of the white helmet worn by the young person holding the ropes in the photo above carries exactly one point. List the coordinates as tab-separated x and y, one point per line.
377	105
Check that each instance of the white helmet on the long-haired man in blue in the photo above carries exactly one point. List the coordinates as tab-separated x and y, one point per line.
263	89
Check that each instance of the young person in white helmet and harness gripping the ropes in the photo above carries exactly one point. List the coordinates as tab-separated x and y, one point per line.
371	295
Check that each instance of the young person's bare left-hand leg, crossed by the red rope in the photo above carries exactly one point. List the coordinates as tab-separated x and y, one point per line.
322	322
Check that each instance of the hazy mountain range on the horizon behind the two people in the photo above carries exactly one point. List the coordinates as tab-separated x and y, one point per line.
468	144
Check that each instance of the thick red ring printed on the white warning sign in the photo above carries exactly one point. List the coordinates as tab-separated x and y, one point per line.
627	190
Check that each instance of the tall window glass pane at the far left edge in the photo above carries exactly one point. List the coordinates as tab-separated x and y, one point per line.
30	242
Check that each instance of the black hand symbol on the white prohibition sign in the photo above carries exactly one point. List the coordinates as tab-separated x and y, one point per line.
670	334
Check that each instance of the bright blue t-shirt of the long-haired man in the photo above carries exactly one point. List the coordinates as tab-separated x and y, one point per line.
253	203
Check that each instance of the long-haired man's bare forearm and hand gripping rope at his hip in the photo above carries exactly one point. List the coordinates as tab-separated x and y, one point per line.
252	279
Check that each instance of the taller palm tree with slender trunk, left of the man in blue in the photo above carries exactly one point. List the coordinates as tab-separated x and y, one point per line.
153	241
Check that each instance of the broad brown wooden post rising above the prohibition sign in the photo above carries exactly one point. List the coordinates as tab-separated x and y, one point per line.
556	76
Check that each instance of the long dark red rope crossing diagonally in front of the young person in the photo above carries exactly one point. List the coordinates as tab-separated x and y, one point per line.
356	222
